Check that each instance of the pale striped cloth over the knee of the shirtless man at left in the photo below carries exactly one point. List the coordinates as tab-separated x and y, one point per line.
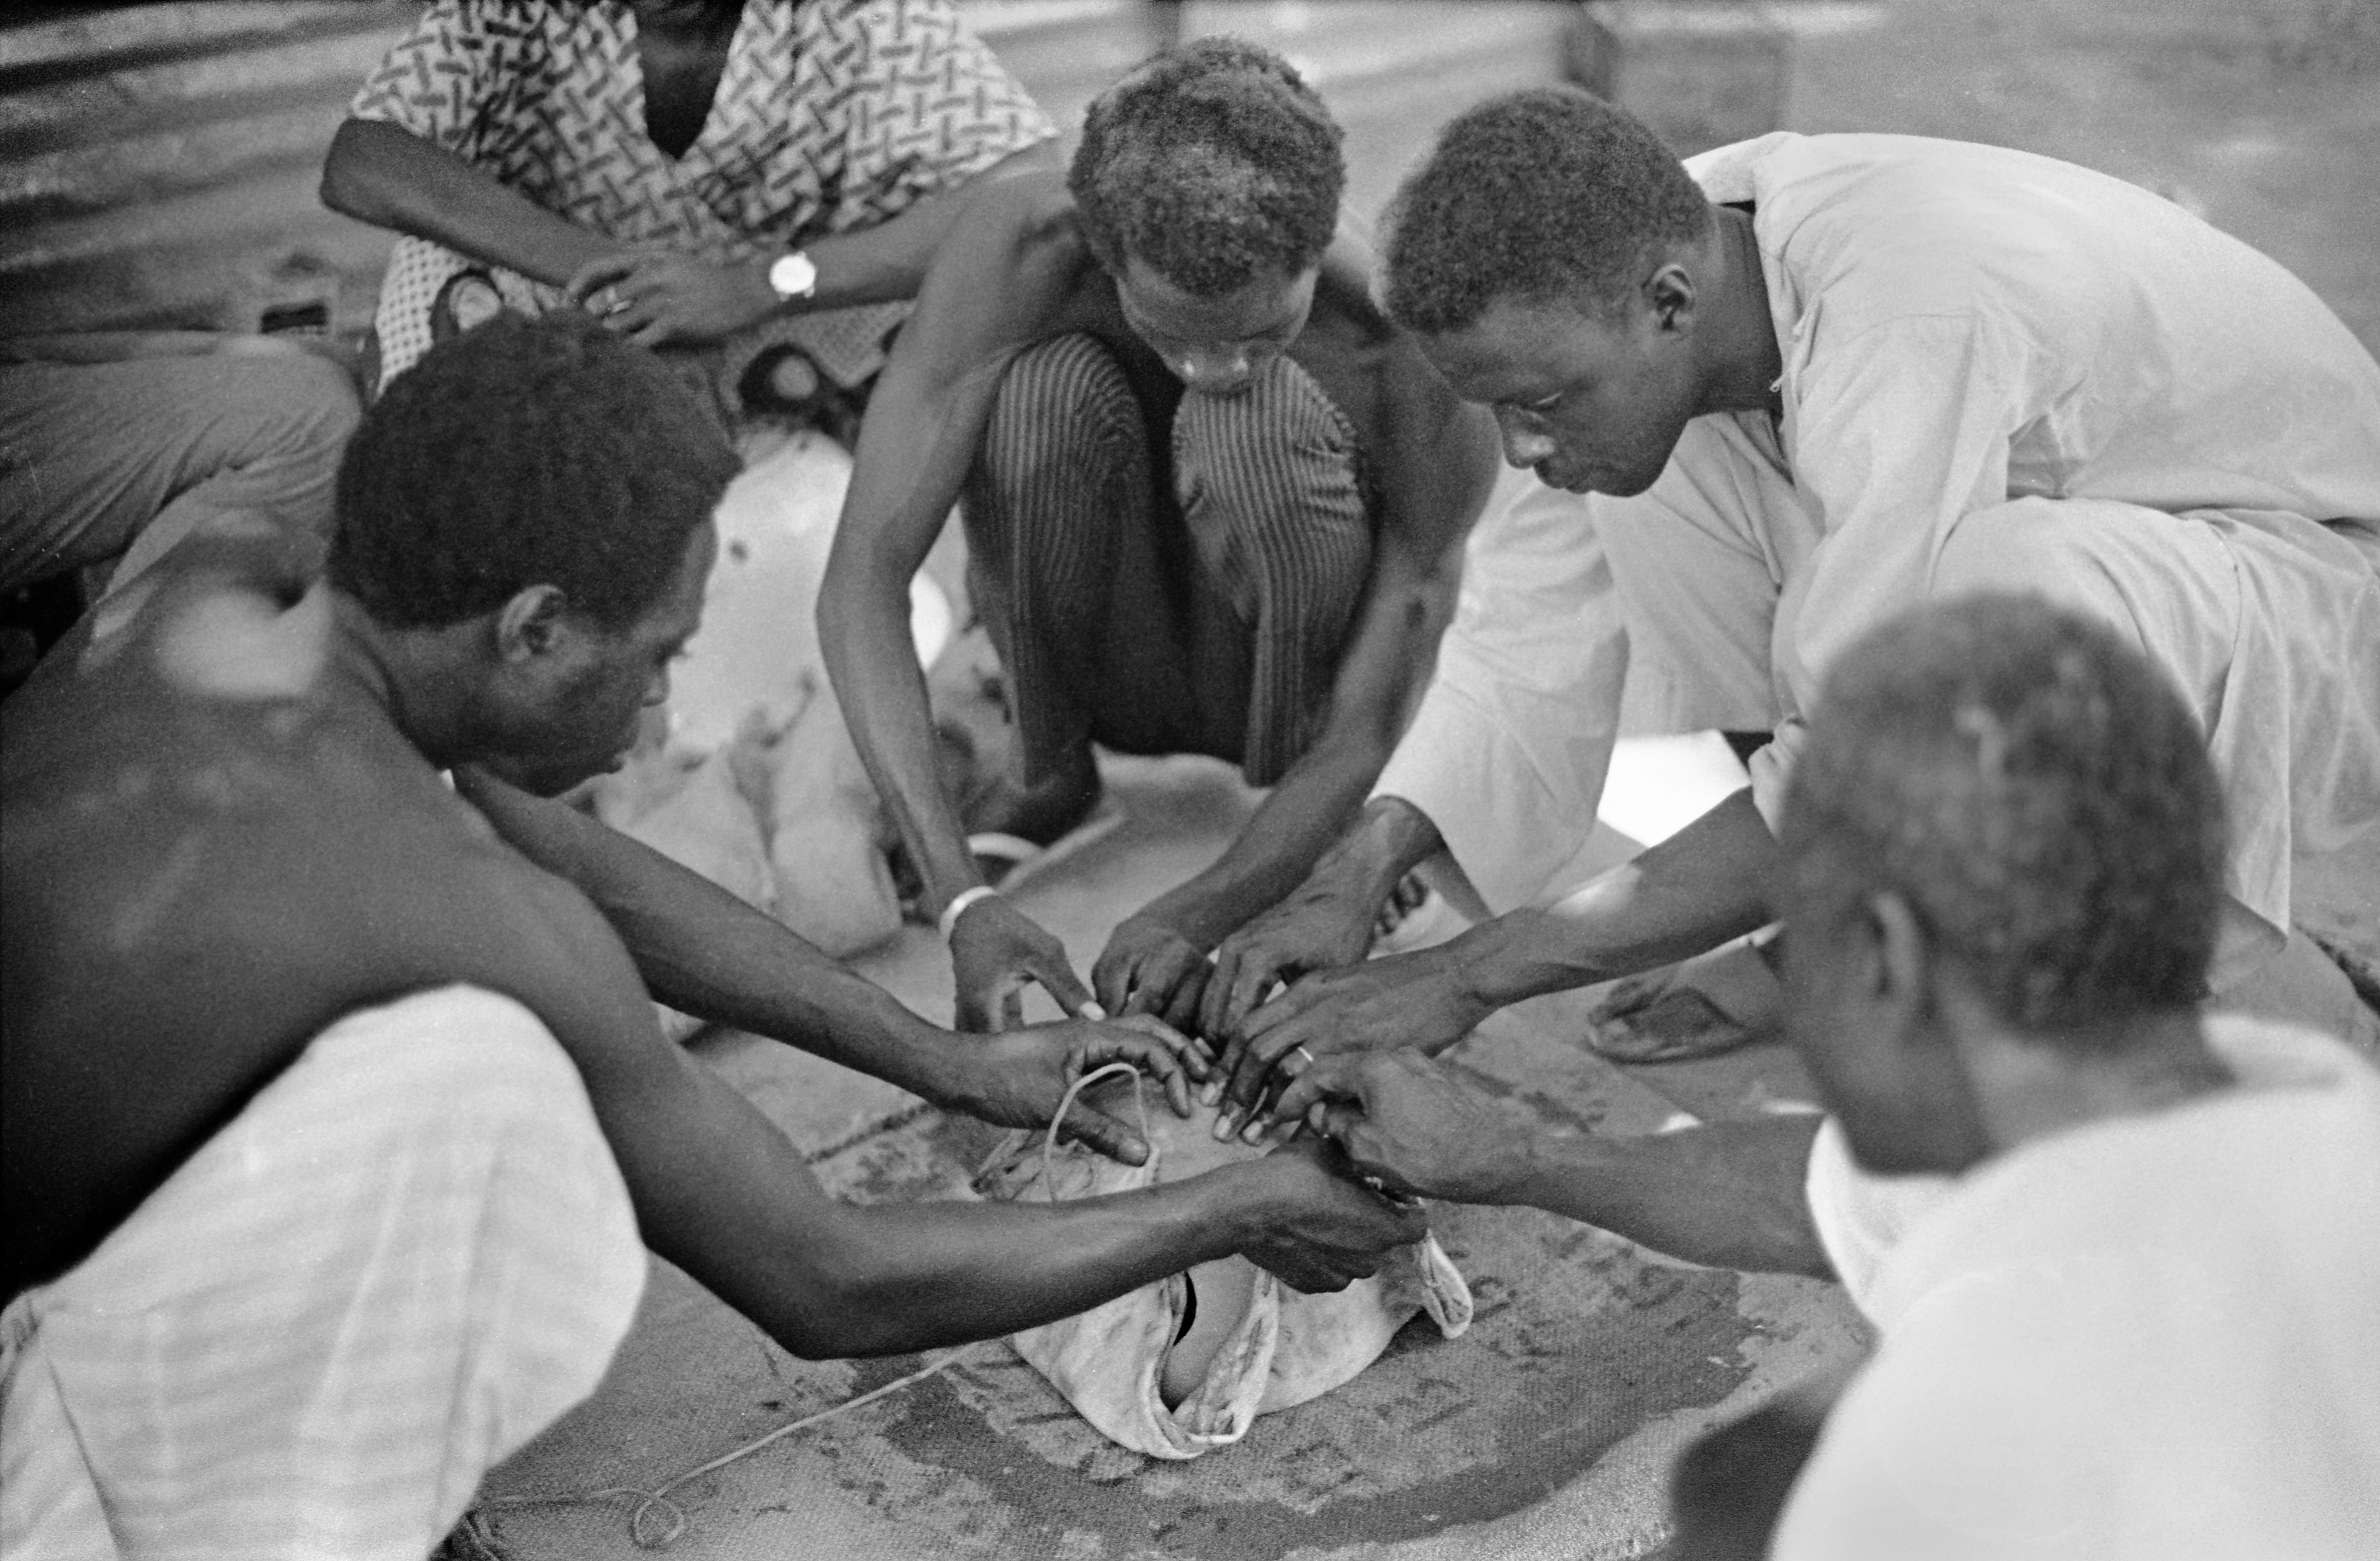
403	1260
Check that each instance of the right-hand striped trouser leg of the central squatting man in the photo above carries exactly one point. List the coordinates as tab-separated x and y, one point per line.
1279	525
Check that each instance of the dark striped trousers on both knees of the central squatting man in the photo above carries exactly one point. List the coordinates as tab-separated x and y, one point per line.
1155	613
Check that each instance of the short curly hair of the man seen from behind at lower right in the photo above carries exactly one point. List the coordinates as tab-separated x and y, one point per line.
2036	791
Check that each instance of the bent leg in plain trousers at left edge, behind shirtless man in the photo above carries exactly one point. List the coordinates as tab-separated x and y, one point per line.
134	456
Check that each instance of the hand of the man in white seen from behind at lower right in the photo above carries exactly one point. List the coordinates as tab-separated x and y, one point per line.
1408	1122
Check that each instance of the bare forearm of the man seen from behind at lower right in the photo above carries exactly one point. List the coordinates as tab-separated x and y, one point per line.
1727	1196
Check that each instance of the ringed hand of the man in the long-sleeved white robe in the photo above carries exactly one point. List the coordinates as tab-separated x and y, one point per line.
1382	1005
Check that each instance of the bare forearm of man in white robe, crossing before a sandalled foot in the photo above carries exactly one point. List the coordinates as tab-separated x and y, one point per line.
1686	896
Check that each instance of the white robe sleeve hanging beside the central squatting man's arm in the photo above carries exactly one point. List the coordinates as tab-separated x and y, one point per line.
1512	741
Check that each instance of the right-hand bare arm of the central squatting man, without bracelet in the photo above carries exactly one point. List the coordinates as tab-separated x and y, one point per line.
1436	472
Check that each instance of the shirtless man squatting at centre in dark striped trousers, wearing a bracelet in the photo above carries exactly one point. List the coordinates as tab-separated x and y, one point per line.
1213	506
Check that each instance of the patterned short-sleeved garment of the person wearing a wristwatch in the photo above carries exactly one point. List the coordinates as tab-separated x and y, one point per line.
832	115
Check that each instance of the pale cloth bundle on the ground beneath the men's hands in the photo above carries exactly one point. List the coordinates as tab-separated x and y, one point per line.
1186	1365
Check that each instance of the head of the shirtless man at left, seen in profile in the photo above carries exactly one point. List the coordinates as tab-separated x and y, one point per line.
537	499
